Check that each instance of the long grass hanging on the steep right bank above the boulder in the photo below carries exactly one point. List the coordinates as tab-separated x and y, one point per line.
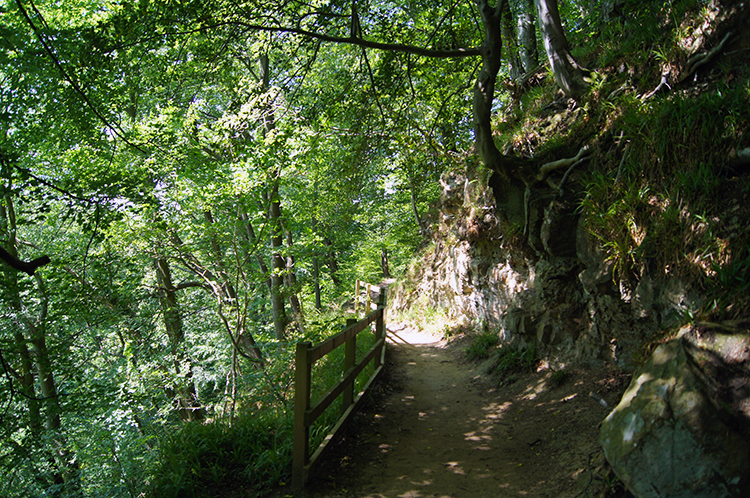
666	209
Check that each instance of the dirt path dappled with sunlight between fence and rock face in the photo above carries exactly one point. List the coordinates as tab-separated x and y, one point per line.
439	426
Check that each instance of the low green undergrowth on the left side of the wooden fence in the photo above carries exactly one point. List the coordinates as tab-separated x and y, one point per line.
251	449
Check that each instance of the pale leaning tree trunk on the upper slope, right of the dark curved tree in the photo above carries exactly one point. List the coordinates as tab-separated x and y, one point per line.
568	74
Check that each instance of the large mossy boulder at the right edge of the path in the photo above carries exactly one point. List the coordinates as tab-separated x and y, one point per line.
682	429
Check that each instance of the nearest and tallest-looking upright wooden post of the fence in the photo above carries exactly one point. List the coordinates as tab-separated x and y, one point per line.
301	448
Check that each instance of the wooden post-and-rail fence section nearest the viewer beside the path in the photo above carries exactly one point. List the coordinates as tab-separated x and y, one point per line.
305	414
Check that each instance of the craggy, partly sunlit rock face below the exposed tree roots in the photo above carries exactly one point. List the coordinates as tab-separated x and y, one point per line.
526	267
